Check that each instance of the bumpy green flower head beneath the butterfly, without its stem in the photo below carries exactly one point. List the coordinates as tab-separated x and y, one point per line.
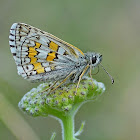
62	100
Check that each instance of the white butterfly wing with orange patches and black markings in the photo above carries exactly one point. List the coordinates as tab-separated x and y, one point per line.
40	55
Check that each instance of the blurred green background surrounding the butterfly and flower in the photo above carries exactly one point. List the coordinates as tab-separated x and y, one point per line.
111	27
